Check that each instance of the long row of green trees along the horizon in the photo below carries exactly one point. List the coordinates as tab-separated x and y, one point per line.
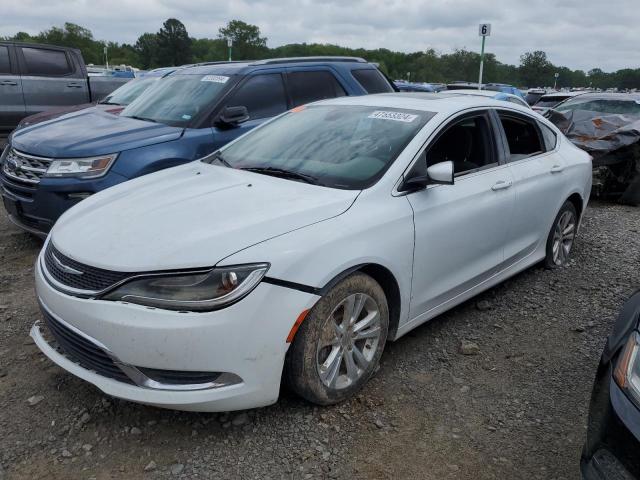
171	45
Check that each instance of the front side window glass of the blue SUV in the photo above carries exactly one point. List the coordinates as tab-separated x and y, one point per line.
263	95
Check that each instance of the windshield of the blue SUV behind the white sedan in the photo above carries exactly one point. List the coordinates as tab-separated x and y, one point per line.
177	99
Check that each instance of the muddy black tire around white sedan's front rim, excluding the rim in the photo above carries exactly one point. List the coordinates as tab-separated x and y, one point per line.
300	371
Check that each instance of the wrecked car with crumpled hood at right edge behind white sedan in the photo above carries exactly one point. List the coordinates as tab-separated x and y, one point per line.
607	126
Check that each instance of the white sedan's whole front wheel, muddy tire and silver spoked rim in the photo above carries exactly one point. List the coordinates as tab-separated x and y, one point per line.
340	342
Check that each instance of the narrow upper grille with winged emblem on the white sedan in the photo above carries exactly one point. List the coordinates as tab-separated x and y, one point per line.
90	279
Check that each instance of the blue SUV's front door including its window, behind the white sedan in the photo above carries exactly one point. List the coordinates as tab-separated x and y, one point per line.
264	96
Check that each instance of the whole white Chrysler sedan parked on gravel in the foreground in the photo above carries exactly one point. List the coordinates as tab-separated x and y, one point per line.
297	251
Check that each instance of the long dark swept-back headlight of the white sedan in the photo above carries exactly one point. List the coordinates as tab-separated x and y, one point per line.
200	292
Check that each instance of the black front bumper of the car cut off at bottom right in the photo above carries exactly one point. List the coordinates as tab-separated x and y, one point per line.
612	450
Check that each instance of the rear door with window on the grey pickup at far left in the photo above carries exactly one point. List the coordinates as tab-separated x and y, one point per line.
50	78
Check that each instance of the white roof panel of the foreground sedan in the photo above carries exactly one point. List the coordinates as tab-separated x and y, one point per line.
441	102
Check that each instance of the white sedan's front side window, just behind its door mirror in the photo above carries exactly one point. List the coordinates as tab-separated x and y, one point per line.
467	143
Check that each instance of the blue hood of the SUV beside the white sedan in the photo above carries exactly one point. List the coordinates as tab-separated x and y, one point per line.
90	132
